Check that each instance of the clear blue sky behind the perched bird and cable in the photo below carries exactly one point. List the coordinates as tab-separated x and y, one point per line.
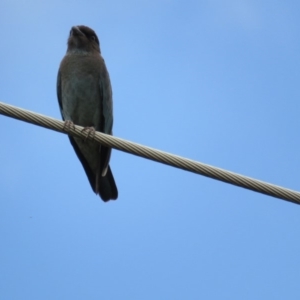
215	81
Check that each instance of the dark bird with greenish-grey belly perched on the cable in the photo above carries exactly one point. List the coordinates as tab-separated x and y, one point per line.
84	95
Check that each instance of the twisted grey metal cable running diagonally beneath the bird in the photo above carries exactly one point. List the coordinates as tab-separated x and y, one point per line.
153	154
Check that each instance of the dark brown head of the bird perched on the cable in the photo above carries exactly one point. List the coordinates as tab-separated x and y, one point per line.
83	39
